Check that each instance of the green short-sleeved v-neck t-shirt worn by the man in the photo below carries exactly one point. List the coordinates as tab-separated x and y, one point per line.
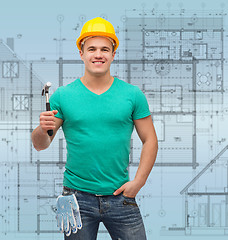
98	132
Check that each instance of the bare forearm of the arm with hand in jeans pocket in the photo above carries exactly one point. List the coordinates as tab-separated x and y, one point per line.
147	160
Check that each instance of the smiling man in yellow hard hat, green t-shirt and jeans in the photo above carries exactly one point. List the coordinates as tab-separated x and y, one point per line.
98	113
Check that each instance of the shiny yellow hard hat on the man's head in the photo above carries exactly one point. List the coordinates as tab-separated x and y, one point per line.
98	27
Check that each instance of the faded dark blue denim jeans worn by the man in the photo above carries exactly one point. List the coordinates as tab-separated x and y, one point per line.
119	214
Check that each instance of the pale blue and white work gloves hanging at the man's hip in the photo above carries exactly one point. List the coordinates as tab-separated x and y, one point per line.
68	215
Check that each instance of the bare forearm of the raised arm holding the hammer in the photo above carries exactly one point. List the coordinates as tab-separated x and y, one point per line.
40	139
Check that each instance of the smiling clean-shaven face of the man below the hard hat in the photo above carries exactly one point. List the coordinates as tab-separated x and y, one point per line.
97	55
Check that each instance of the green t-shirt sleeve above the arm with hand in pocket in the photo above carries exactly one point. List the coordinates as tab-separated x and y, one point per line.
141	108
